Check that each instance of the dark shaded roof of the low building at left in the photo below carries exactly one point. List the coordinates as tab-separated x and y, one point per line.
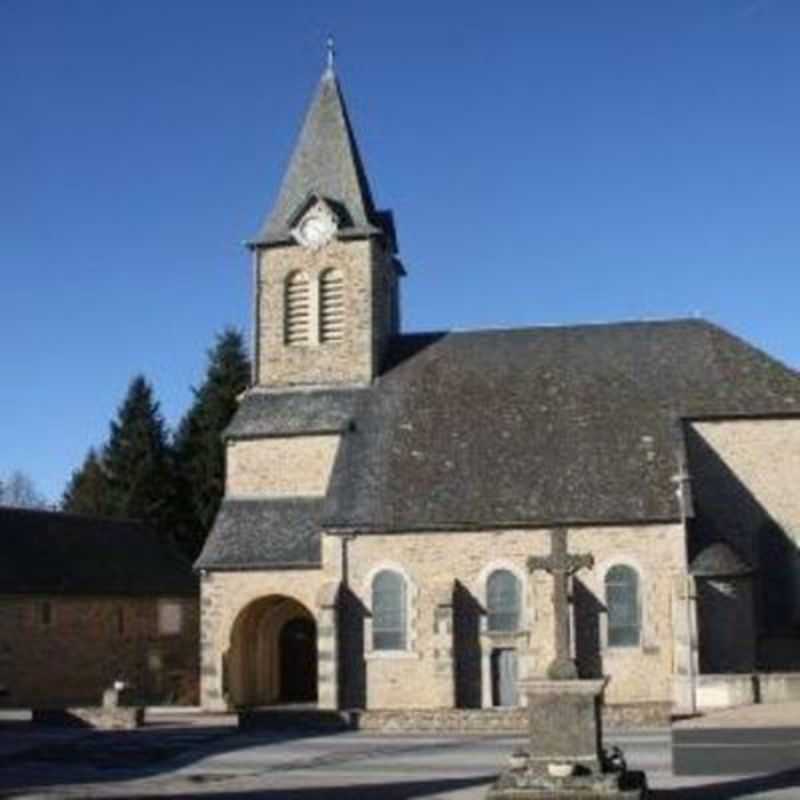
48	552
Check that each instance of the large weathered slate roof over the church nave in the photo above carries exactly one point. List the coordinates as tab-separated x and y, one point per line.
540	426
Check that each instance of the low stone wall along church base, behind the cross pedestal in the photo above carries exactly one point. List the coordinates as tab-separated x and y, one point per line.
511	720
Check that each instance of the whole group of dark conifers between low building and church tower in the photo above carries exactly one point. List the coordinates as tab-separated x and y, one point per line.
173	481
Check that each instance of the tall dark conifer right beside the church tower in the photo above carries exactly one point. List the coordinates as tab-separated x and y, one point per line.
198	447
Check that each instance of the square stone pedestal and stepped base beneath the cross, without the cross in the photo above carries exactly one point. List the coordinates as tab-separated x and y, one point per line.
565	760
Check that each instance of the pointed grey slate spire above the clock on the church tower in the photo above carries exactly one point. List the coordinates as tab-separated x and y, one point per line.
326	164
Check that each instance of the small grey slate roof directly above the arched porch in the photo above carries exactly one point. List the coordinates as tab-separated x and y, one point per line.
267	534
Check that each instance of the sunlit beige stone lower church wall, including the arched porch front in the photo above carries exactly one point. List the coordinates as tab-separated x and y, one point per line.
445	621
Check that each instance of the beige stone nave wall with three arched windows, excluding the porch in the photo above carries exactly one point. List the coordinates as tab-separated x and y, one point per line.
413	678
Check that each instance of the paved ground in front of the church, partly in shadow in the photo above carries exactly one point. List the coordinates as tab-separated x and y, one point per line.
206	756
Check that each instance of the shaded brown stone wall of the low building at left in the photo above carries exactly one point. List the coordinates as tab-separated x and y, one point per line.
58	651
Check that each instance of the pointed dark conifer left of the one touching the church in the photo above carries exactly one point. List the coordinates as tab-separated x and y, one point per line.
136	458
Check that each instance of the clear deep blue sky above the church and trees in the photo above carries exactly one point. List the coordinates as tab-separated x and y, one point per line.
548	162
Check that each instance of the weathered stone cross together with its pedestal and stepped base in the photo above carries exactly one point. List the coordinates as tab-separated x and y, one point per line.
565	759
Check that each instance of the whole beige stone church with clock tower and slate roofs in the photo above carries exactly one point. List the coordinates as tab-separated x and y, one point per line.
385	489
